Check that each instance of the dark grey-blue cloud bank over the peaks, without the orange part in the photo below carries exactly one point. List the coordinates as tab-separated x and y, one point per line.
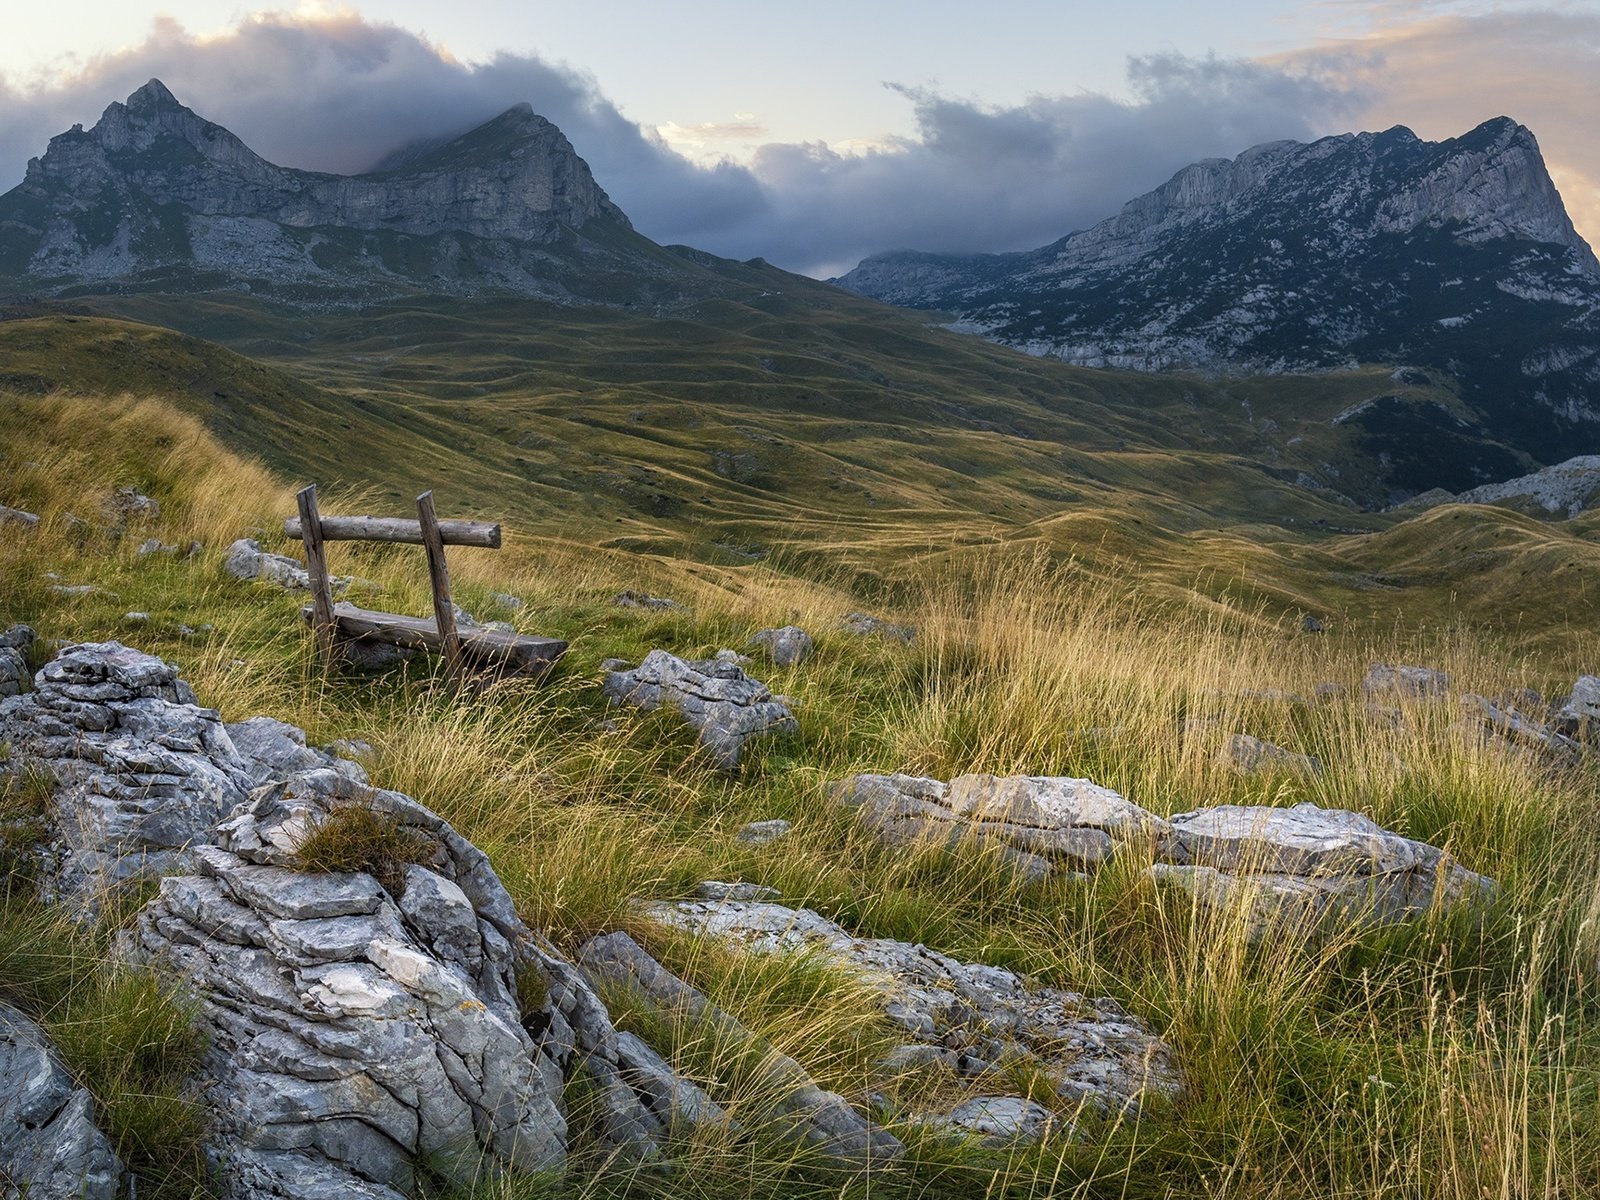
338	94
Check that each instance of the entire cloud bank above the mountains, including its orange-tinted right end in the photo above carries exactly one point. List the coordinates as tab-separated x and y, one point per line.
332	90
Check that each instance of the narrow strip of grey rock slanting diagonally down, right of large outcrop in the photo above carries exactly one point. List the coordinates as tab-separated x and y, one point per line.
802	1111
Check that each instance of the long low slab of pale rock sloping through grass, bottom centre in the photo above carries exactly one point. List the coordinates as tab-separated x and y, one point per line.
1090	1050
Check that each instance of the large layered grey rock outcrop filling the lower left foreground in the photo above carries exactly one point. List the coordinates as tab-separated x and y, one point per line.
362	1025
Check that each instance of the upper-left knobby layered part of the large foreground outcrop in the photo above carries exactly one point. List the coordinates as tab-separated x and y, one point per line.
142	770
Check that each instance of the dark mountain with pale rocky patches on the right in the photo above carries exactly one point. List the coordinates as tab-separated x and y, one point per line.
1374	247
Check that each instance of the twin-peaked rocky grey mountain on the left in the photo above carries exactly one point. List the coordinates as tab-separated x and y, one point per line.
158	198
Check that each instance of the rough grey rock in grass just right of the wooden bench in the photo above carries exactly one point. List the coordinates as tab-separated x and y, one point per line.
727	706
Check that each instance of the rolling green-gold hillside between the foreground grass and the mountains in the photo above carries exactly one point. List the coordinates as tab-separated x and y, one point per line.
831	438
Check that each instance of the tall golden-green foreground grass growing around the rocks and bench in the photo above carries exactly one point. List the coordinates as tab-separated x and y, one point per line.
1452	1058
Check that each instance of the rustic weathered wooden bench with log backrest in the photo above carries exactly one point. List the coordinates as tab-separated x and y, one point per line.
482	650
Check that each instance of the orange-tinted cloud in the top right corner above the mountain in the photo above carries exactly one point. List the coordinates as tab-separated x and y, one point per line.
1444	74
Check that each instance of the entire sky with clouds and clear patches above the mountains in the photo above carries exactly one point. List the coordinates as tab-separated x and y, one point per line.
817	134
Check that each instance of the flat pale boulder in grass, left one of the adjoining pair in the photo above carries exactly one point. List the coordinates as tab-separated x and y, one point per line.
1039	823
